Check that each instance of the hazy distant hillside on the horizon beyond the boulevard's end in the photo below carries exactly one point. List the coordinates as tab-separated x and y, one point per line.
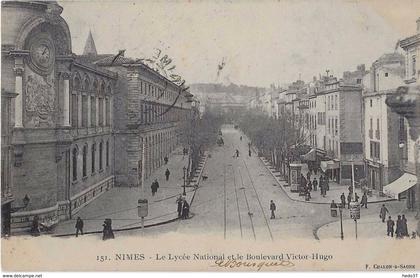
211	88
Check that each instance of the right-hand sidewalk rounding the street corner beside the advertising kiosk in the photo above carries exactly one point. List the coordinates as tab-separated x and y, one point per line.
316	198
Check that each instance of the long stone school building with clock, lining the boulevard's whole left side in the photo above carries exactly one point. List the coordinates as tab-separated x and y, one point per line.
72	126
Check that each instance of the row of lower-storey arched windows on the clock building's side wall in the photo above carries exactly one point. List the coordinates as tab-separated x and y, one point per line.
85	153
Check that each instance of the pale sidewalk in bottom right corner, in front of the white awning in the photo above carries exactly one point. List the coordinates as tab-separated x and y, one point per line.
368	226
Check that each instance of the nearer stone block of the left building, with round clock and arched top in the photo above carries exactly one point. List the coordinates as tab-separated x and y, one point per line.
59	152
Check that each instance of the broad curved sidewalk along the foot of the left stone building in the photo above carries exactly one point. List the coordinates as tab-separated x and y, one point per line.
120	203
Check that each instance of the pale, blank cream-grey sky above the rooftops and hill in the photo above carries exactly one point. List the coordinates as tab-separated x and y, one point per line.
261	42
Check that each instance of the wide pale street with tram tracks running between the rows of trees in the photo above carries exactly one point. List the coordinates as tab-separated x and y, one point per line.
234	201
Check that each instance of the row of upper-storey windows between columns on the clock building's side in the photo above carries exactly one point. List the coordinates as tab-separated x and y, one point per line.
90	106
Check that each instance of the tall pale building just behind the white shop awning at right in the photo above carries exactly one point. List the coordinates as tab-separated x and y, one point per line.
383	130
